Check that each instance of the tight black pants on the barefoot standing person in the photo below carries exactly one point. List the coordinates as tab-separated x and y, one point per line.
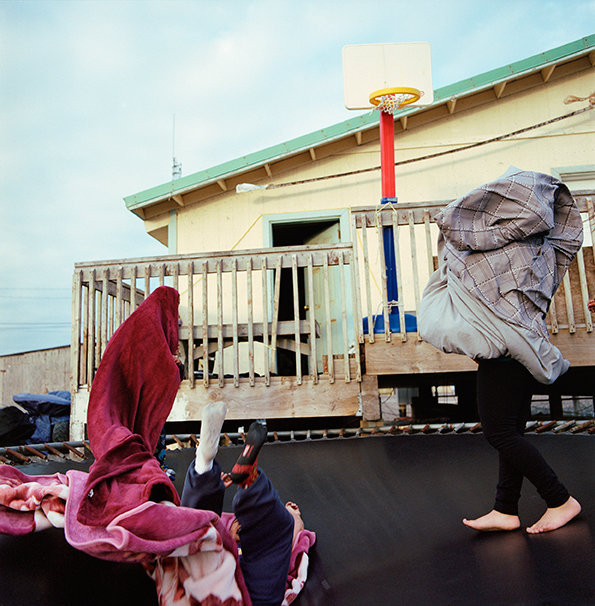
504	390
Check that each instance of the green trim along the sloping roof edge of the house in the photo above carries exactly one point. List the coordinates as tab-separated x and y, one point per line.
353	125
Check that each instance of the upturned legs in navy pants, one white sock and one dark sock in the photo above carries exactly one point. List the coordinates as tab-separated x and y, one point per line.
265	529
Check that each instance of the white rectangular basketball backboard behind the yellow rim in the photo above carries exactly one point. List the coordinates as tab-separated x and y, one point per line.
371	67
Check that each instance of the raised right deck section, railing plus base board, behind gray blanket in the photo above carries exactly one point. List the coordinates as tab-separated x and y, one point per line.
393	345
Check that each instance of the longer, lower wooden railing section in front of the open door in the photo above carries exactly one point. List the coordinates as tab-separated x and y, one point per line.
297	299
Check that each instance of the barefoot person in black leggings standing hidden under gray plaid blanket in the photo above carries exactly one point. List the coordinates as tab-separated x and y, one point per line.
503	249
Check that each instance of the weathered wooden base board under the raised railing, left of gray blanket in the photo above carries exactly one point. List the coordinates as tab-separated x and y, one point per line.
412	357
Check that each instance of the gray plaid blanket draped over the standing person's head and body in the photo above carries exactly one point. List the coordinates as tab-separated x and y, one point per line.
503	250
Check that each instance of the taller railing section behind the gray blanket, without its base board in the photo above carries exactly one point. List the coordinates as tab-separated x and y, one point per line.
412	233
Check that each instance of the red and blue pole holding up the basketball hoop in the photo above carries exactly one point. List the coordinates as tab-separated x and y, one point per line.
388	188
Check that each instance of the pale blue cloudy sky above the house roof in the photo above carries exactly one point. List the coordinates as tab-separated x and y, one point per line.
90	92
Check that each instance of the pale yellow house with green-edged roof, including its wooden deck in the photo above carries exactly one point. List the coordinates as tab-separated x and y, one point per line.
292	303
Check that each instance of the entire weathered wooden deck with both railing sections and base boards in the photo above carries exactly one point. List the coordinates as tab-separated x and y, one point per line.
284	332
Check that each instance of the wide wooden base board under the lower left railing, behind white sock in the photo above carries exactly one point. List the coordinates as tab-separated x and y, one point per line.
284	398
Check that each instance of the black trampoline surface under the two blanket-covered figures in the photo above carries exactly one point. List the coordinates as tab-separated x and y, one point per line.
387	512
